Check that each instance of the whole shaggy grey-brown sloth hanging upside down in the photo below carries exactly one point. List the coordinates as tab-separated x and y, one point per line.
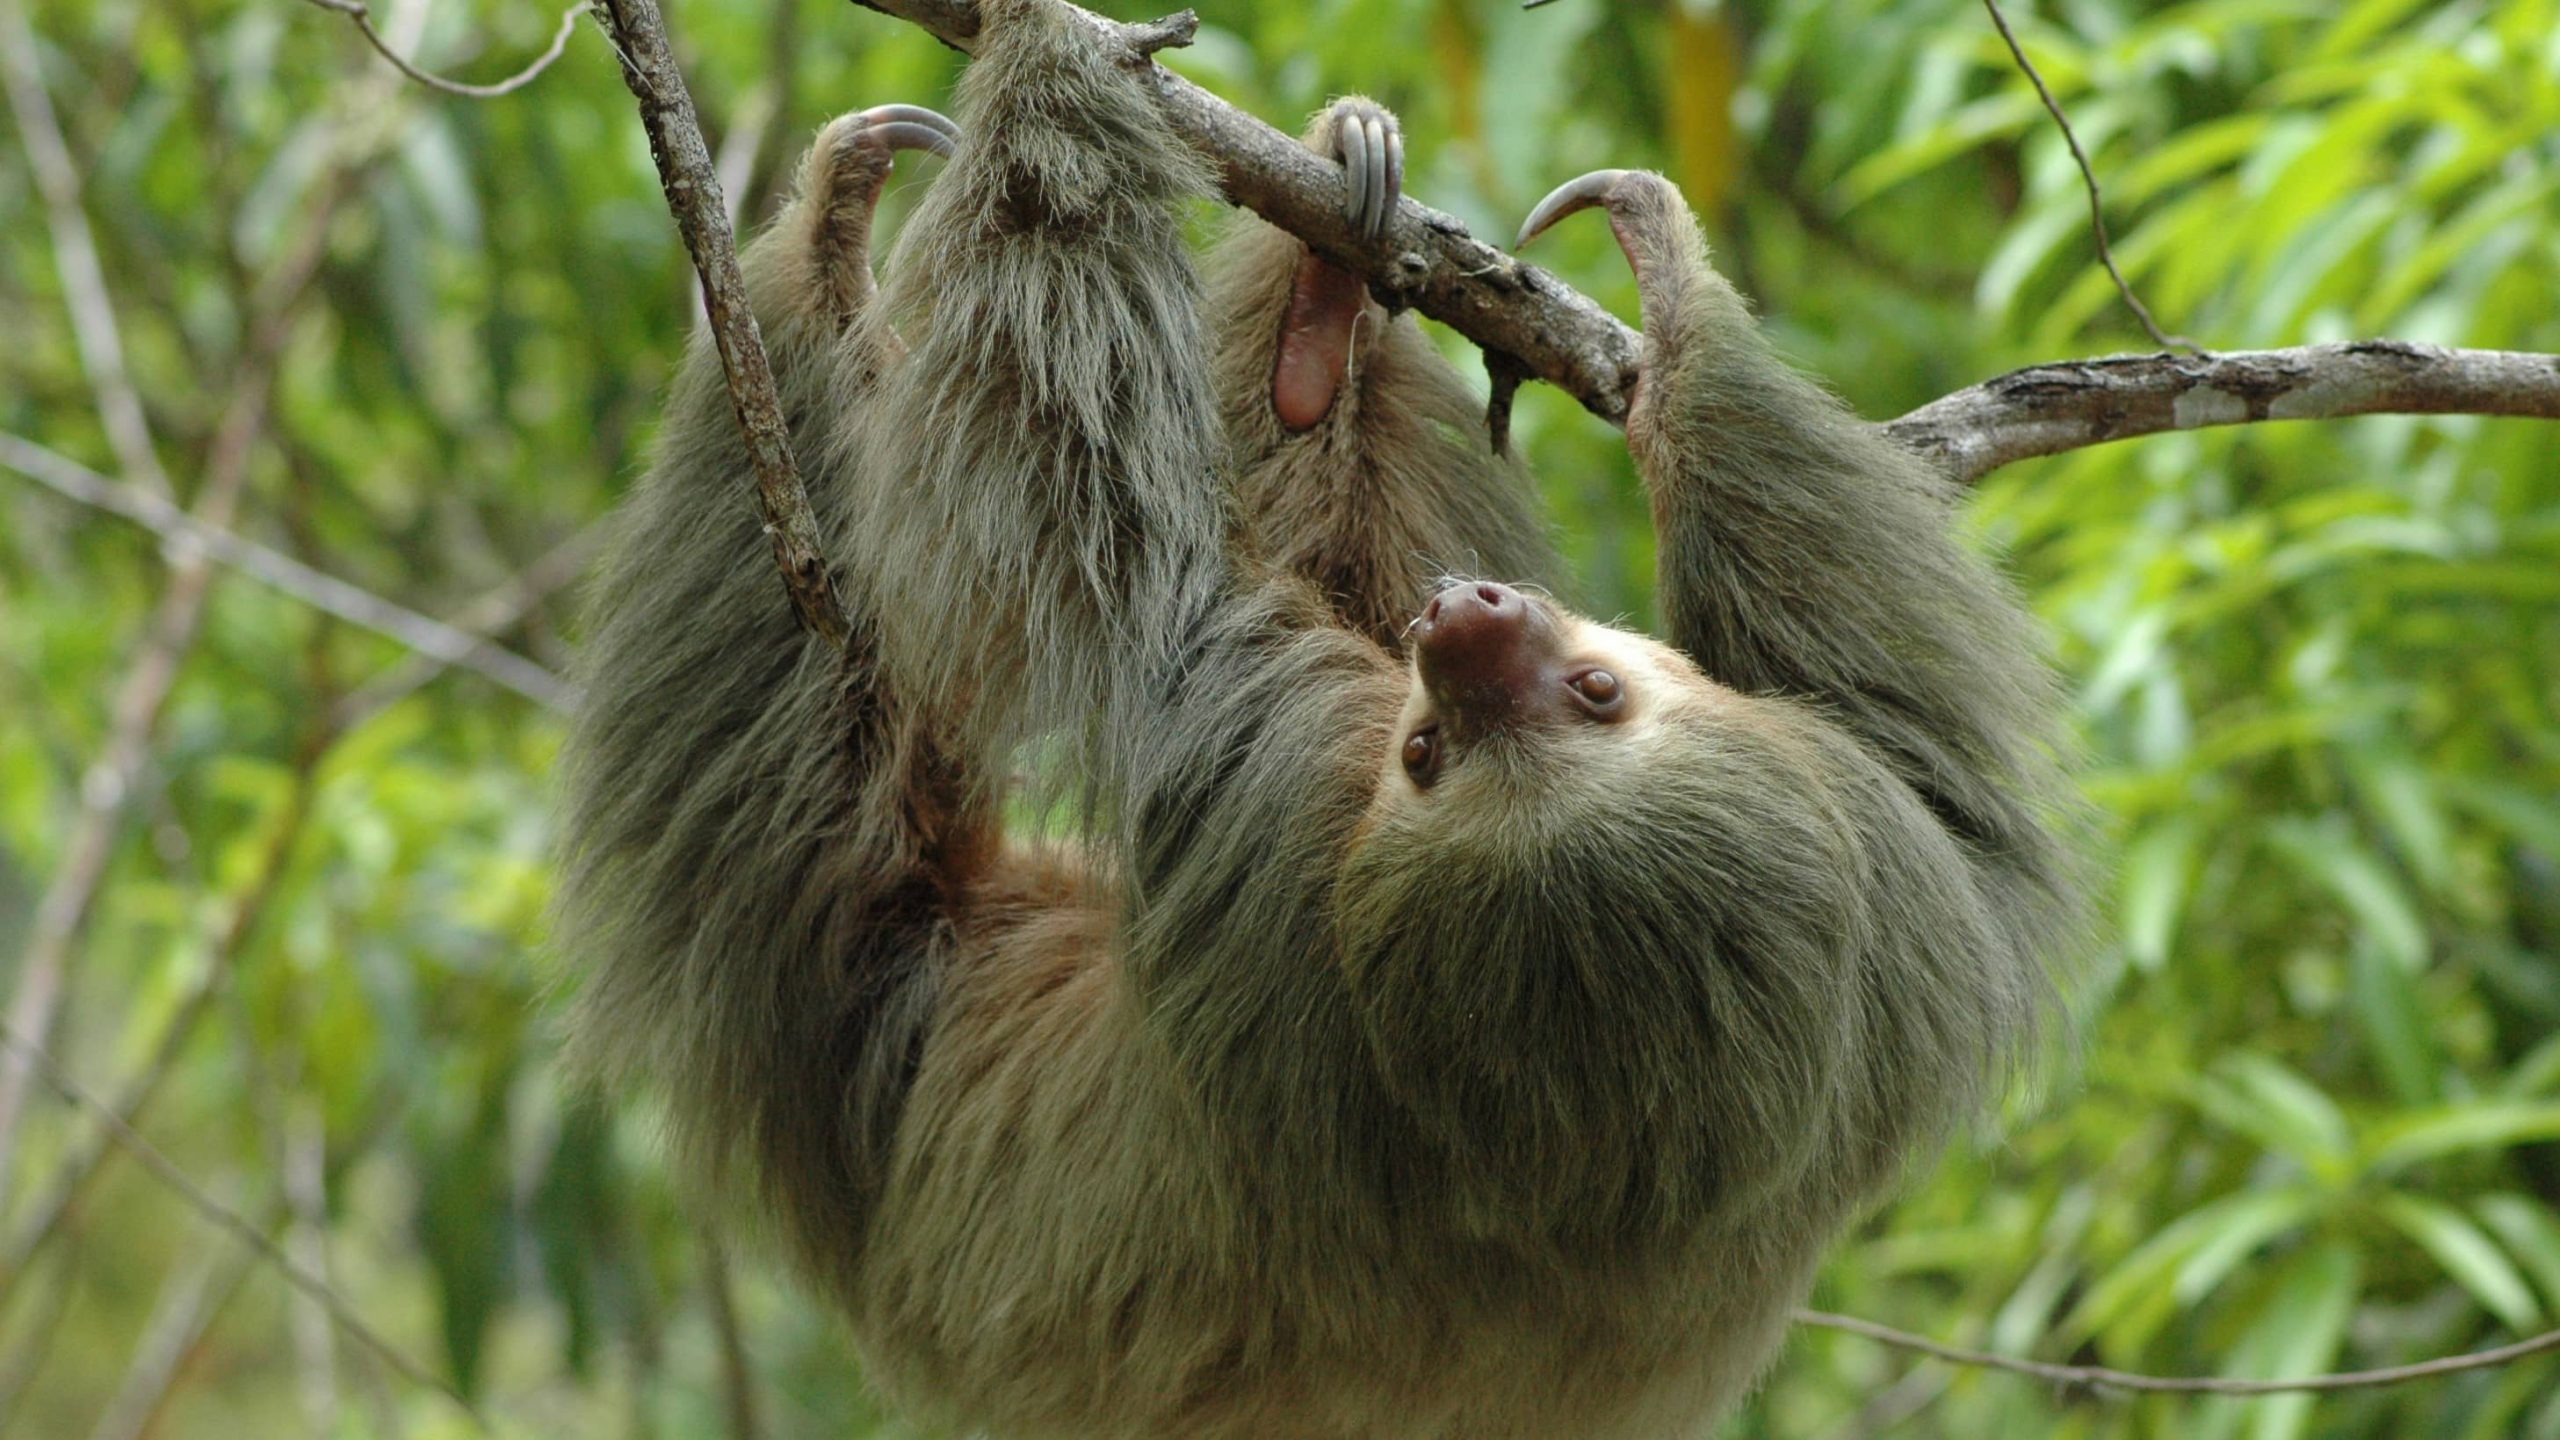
1437	1013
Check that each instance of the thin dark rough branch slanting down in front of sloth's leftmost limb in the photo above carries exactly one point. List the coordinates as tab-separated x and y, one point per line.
692	196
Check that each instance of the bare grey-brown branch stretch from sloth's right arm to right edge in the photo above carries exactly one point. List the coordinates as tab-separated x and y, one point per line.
2070	406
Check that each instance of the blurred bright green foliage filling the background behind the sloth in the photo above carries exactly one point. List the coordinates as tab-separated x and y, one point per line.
2316	1111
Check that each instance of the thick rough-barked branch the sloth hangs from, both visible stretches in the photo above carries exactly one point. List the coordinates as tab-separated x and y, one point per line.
1558	334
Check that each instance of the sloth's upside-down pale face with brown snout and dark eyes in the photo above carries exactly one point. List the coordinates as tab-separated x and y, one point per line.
1512	696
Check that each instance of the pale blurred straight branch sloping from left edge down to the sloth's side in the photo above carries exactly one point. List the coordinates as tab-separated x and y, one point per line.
319	591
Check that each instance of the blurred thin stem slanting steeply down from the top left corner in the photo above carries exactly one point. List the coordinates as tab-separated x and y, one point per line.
76	255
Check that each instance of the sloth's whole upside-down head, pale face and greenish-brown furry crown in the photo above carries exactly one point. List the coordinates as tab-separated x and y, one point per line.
1588	888
